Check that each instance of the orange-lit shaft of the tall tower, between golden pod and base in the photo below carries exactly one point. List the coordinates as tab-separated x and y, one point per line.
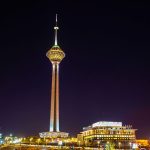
54	116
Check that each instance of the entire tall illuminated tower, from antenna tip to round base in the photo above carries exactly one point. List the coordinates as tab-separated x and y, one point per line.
55	55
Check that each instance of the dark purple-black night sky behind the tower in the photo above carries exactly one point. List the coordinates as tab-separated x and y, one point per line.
105	75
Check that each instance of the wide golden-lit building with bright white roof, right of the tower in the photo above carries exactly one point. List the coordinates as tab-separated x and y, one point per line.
104	133
